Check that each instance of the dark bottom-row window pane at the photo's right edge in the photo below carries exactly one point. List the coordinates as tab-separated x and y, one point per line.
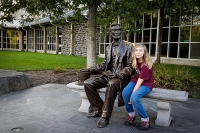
195	54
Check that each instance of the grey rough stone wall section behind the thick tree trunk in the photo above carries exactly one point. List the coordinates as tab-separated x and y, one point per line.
80	46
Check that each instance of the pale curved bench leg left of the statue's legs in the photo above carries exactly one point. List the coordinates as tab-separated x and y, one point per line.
85	103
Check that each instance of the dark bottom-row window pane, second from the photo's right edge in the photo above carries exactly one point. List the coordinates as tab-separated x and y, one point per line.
184	50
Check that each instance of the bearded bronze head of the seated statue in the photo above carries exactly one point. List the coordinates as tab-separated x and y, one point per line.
116	30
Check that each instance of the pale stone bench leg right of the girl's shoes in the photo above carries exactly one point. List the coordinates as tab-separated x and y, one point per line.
163	113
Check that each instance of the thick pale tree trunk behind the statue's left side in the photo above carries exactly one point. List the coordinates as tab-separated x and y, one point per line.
91	35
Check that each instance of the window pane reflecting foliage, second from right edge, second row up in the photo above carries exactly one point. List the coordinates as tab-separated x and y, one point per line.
185	34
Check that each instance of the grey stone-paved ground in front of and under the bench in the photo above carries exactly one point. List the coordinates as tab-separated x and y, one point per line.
52	108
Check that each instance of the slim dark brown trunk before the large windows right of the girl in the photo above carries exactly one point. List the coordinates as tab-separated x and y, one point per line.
160	33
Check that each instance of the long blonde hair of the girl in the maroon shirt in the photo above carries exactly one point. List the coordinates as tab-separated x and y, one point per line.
146	57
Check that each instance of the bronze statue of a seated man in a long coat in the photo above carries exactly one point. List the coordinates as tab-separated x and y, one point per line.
115	73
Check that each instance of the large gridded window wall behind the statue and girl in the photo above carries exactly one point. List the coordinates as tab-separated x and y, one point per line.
180	39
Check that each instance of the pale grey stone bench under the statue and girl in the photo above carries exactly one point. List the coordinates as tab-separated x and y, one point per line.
163	97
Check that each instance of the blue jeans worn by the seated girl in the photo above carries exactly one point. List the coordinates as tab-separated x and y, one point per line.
135	98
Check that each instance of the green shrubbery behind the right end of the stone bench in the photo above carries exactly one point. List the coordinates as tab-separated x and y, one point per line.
175	78
